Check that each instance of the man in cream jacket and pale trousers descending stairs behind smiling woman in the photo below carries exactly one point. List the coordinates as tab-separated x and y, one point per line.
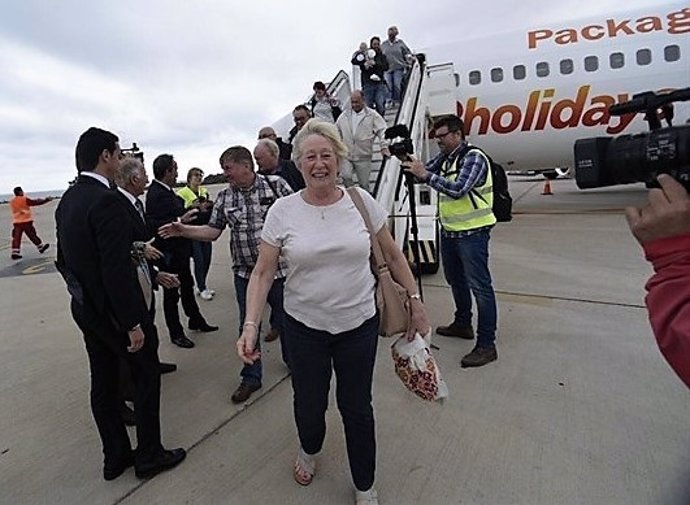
358	127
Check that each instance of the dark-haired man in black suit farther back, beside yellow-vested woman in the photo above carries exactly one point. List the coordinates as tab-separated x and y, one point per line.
163	206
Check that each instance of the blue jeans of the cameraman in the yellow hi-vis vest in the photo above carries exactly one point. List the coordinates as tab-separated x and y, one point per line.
466	267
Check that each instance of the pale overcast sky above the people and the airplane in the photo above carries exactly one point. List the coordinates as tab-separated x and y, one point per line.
192	78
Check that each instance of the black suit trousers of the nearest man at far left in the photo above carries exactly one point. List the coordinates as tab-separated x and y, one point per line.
106	346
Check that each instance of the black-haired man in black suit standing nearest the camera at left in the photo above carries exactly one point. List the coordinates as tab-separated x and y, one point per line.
94	244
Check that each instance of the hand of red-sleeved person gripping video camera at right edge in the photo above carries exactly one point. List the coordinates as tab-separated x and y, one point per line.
667	215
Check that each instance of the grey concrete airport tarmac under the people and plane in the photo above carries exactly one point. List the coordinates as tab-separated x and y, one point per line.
580	407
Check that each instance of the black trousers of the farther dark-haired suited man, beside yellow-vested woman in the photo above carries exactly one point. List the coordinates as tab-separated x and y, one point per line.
178	263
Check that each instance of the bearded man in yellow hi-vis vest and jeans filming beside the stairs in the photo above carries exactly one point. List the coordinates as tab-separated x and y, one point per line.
461	174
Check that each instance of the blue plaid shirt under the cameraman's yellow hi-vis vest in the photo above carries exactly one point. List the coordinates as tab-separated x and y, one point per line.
471	173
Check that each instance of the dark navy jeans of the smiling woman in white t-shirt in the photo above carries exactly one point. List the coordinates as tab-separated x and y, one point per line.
315	354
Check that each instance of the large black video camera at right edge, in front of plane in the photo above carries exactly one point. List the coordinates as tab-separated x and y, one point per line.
607	161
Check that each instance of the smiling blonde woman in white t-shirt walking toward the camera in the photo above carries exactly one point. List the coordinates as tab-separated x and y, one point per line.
331	321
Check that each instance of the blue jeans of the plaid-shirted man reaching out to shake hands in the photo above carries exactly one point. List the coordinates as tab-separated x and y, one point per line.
252	374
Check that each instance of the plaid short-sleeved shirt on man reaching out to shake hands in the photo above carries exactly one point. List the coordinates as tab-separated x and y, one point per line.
244	211
